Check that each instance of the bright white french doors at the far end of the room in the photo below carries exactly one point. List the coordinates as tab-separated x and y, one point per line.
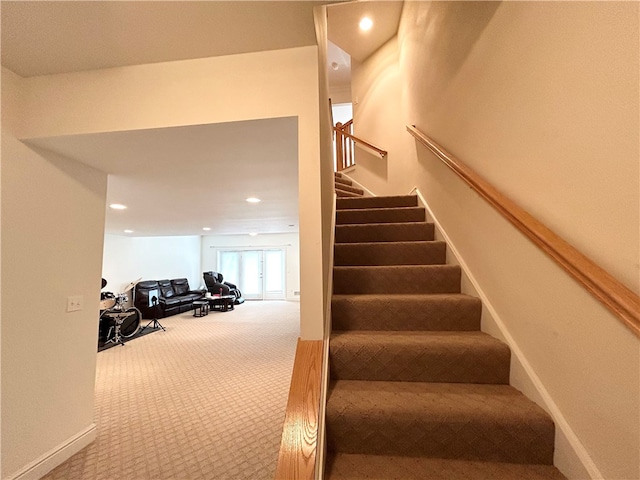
259	274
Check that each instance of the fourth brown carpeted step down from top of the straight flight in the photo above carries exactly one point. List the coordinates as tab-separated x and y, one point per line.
393	253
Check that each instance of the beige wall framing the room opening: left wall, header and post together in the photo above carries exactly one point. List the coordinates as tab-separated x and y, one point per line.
211	90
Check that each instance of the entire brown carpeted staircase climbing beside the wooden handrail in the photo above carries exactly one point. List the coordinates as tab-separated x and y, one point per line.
417	391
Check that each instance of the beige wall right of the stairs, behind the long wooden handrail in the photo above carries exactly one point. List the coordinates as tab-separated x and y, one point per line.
542	100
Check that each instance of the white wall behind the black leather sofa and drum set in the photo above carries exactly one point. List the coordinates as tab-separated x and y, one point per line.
126	259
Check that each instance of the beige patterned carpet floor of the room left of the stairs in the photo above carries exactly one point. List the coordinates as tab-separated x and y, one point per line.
203	400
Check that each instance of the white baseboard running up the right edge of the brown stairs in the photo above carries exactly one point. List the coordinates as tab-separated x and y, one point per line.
581	463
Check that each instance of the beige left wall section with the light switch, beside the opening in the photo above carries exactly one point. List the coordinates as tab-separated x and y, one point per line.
52	232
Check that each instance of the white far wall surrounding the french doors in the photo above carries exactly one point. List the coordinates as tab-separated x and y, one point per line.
212	244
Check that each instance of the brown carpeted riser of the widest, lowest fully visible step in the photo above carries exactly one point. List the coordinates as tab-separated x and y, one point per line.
392	433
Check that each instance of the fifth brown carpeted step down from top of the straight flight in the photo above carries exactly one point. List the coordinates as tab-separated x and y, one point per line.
397	279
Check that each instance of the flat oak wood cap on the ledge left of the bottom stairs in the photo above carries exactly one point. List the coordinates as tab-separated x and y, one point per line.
298	447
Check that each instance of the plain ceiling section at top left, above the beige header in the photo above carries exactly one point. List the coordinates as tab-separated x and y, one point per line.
47	37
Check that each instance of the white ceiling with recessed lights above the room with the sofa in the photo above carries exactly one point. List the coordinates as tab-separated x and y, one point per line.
175	181
